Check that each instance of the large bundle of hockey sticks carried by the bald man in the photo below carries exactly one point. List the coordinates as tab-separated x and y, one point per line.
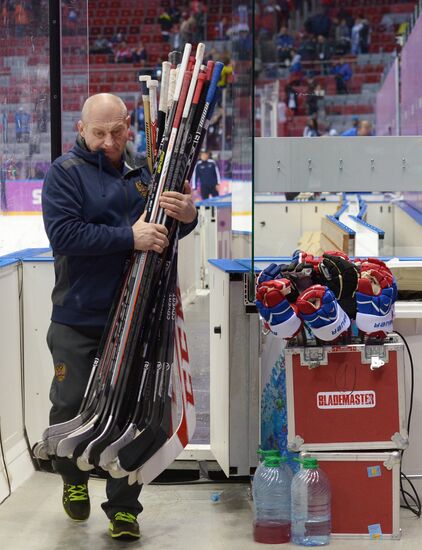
138	410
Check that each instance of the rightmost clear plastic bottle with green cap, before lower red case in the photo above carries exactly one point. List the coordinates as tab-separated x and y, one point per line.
311	505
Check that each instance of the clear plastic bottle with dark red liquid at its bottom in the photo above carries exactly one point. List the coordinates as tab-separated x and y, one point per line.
271	499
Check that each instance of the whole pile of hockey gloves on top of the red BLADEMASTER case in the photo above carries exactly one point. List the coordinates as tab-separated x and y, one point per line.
325	294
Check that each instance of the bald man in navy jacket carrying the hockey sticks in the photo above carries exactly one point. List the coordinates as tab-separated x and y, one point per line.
93	202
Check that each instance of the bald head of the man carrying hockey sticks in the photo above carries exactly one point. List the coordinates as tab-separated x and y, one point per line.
105	125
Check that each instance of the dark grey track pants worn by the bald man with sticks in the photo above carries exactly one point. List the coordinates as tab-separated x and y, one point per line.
73	350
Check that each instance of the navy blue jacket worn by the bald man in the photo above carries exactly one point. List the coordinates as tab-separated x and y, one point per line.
89	208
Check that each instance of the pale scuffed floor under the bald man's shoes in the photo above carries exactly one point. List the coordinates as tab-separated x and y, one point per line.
175	517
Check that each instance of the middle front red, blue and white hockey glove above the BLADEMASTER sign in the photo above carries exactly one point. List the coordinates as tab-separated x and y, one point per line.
319	308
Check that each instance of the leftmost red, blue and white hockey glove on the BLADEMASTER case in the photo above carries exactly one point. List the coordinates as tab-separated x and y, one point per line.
272	305
